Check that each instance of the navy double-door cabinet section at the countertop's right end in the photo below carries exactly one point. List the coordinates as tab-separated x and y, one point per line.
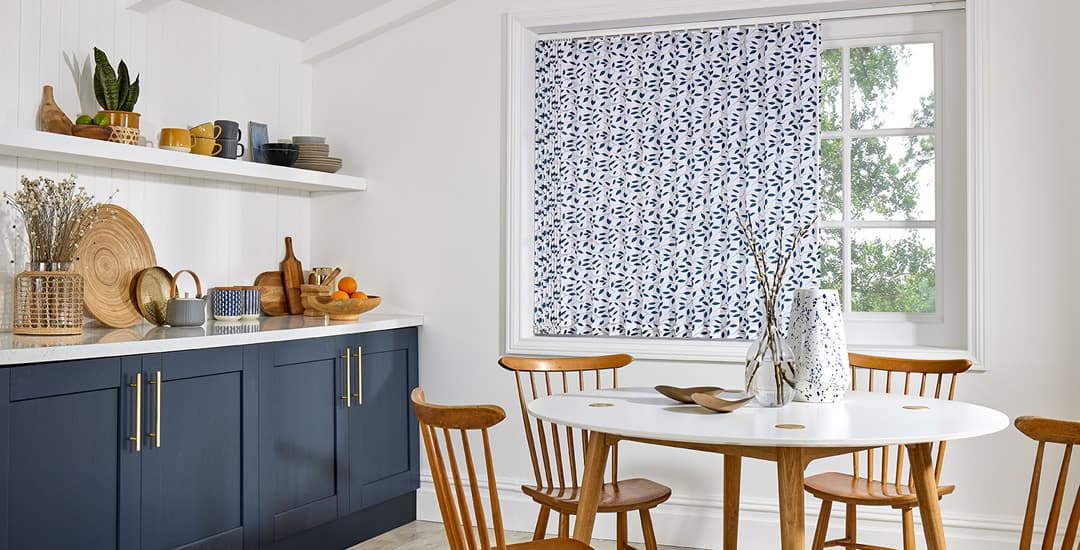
337	432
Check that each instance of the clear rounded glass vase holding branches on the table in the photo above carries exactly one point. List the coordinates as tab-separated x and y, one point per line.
771	370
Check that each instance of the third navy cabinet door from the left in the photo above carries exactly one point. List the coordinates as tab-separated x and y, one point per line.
302	419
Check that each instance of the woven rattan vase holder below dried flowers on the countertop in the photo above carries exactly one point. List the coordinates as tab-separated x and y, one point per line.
48	303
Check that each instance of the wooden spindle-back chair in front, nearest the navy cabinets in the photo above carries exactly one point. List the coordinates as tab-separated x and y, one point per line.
456	498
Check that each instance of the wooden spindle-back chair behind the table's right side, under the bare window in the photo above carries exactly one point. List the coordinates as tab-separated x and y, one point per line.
882	482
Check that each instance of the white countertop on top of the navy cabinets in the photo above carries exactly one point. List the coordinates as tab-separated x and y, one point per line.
146	339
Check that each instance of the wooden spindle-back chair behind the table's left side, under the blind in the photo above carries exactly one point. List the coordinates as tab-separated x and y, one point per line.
553	447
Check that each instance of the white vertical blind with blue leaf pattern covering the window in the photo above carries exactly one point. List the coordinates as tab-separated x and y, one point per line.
646	149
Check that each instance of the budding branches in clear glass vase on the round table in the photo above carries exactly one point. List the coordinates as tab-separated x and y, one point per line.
771	346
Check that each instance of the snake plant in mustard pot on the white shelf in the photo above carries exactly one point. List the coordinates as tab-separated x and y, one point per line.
117	96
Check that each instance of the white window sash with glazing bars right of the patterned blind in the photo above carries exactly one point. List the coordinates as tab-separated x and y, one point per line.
947	328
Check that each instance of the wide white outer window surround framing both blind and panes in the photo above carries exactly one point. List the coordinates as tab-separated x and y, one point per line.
522	31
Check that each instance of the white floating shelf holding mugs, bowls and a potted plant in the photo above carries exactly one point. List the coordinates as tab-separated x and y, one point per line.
31	144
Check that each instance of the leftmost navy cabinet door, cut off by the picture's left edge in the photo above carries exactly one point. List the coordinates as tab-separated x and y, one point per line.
69	475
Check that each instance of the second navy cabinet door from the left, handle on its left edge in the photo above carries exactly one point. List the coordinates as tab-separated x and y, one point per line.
197	464
